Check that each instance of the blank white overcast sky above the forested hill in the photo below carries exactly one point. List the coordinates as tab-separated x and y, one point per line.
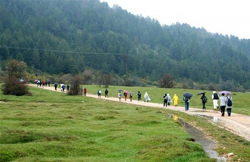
231	17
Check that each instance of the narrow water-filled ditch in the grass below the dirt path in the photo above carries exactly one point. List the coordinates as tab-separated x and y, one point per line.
207	144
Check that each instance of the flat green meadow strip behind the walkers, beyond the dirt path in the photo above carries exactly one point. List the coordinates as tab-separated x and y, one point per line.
241	102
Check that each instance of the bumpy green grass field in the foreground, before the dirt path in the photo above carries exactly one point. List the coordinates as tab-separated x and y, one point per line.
52	126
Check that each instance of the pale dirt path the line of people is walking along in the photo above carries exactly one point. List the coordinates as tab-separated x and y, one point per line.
237	123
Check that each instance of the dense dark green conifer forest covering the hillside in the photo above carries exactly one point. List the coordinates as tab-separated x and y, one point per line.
67	37
